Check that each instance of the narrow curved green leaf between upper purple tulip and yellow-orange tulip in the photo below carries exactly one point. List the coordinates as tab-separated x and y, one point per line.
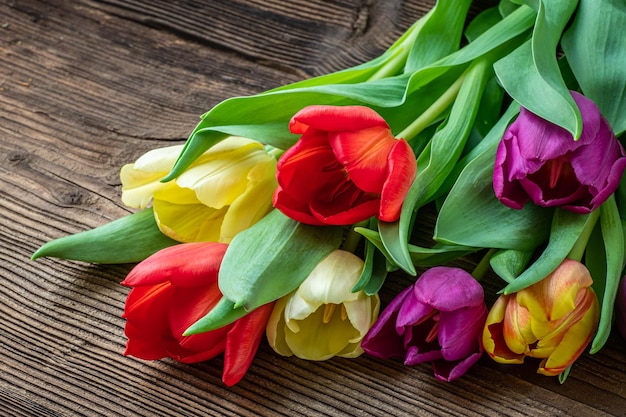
566	229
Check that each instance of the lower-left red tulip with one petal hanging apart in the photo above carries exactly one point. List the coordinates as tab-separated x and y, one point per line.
171	290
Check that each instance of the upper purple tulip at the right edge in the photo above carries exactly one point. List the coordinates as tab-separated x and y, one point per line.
540	161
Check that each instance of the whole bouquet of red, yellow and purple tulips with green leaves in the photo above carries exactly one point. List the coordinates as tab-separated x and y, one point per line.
284	212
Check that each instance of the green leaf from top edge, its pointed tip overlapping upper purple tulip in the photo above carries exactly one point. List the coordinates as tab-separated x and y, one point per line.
531	73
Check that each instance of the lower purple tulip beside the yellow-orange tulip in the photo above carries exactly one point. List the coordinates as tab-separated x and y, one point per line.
439	319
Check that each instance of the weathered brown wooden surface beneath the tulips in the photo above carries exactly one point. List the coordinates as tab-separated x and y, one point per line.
87	86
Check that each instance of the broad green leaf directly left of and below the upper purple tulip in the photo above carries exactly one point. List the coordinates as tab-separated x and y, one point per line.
472	216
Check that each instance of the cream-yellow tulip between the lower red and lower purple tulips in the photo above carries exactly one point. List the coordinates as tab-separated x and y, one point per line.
323	317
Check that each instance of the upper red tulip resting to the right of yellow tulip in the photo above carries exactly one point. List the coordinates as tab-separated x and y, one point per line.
345	168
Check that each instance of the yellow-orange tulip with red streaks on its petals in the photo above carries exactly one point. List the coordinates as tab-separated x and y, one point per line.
553	319
